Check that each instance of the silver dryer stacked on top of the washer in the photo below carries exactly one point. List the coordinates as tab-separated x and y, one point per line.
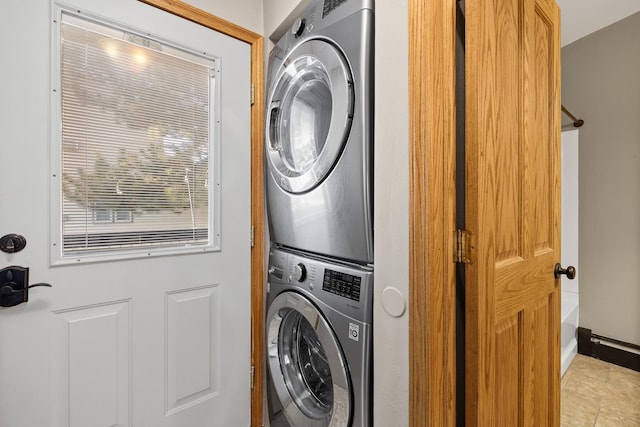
319	137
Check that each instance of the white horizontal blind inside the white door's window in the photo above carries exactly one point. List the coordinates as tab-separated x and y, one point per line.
136	116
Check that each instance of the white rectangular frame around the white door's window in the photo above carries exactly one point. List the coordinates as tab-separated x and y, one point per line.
56	236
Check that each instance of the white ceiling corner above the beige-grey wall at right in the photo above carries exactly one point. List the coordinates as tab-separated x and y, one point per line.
582	17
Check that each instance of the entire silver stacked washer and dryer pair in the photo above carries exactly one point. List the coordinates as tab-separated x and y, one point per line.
319	186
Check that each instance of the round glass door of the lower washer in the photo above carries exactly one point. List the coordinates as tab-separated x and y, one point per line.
307	365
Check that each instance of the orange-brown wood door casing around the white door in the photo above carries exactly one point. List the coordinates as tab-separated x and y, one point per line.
256	42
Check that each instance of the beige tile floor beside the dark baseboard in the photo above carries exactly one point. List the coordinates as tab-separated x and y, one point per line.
597	393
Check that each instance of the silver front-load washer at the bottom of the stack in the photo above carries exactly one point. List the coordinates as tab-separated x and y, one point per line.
318	342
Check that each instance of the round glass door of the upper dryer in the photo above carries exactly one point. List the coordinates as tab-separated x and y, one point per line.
309	115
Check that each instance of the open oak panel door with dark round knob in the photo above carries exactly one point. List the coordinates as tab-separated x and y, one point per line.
513	212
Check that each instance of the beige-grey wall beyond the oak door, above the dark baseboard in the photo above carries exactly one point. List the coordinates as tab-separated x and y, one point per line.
601	85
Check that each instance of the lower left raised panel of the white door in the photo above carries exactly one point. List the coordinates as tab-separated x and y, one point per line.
85	335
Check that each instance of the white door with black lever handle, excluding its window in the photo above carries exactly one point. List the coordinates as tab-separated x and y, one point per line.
154	341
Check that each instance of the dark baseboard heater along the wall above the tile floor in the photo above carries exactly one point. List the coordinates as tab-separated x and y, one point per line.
608	349
